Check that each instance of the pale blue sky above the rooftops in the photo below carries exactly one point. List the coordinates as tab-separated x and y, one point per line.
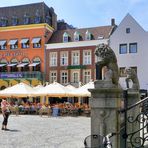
91	13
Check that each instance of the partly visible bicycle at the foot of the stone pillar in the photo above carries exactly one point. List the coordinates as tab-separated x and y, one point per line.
104	142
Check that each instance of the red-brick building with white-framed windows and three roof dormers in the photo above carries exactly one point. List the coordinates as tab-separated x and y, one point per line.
70	54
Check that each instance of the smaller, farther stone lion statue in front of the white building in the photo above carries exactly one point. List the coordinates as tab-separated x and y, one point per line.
131	75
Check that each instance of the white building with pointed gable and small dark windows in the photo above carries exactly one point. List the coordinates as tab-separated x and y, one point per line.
130	43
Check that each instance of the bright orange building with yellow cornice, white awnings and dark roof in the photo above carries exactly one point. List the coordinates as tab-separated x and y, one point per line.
24	30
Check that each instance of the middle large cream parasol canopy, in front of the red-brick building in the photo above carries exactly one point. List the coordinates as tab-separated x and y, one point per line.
53	90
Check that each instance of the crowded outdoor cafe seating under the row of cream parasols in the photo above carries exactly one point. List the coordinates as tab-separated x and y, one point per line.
53	99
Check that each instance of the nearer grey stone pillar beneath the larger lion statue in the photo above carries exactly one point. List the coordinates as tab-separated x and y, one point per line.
105	102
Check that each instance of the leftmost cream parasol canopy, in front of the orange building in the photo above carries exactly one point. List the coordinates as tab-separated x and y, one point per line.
18	90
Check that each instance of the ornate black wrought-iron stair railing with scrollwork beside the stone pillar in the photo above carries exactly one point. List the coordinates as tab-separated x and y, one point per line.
135	123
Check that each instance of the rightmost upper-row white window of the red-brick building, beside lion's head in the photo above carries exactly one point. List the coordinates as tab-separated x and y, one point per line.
87	57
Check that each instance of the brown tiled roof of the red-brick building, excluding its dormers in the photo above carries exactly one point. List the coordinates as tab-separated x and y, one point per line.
102	31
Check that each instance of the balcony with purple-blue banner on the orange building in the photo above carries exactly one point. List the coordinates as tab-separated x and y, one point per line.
22	75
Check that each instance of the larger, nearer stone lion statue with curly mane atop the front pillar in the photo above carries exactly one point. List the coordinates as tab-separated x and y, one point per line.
107	57
